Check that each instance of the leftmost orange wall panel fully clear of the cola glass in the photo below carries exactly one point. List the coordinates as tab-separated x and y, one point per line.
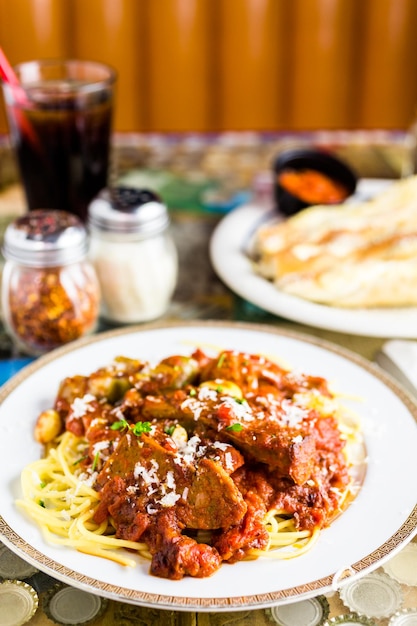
179	43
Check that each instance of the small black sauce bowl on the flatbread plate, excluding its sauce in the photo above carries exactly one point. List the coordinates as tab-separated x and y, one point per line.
288	203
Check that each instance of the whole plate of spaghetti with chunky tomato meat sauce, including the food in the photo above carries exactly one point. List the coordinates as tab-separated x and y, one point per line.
206	466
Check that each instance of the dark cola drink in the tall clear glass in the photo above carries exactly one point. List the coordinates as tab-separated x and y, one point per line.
61	133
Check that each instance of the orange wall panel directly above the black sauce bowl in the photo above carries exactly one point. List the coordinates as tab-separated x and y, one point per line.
322	62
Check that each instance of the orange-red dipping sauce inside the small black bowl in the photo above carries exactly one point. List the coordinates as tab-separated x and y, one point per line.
312	186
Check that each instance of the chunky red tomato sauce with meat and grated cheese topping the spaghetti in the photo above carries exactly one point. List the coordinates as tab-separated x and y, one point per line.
199	444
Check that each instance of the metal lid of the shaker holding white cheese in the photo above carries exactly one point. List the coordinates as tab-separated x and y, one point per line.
128	210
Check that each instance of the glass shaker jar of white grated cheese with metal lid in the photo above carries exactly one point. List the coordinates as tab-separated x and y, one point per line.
133	254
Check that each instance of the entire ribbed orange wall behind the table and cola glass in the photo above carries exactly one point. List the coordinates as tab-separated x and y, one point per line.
216	65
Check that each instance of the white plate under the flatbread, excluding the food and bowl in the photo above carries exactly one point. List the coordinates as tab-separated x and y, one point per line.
230	261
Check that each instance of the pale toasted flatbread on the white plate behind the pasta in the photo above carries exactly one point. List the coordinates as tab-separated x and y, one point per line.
350	255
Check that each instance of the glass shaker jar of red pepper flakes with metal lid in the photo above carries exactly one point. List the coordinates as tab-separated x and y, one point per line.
50	292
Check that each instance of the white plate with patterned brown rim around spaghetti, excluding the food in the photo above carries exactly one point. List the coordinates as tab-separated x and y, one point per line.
380	520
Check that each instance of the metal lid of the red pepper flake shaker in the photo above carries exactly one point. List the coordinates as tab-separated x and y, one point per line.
45	238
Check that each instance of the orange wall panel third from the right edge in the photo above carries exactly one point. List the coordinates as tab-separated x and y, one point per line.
253	42
